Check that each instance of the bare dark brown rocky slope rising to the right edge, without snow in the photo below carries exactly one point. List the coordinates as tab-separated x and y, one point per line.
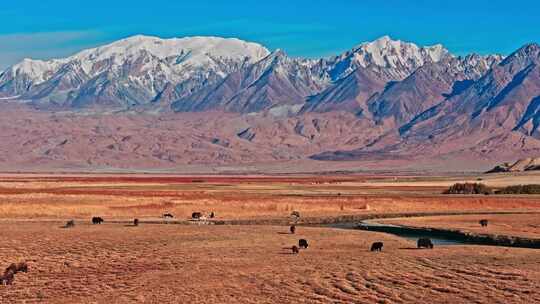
493	115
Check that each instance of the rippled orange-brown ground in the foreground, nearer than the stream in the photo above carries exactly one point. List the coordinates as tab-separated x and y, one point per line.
113	263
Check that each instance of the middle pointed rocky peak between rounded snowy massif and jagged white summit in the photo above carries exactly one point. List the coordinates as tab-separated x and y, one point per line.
276	82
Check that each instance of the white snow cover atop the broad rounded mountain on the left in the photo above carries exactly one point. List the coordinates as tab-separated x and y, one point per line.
184	54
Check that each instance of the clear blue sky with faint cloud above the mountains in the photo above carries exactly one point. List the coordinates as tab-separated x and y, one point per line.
308	28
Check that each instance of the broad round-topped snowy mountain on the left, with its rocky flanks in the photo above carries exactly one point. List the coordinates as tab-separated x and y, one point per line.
131	71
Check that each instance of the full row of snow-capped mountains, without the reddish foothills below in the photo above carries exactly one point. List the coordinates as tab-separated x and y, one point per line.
210	73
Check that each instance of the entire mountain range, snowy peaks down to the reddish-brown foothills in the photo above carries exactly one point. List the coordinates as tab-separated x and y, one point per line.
401	102
